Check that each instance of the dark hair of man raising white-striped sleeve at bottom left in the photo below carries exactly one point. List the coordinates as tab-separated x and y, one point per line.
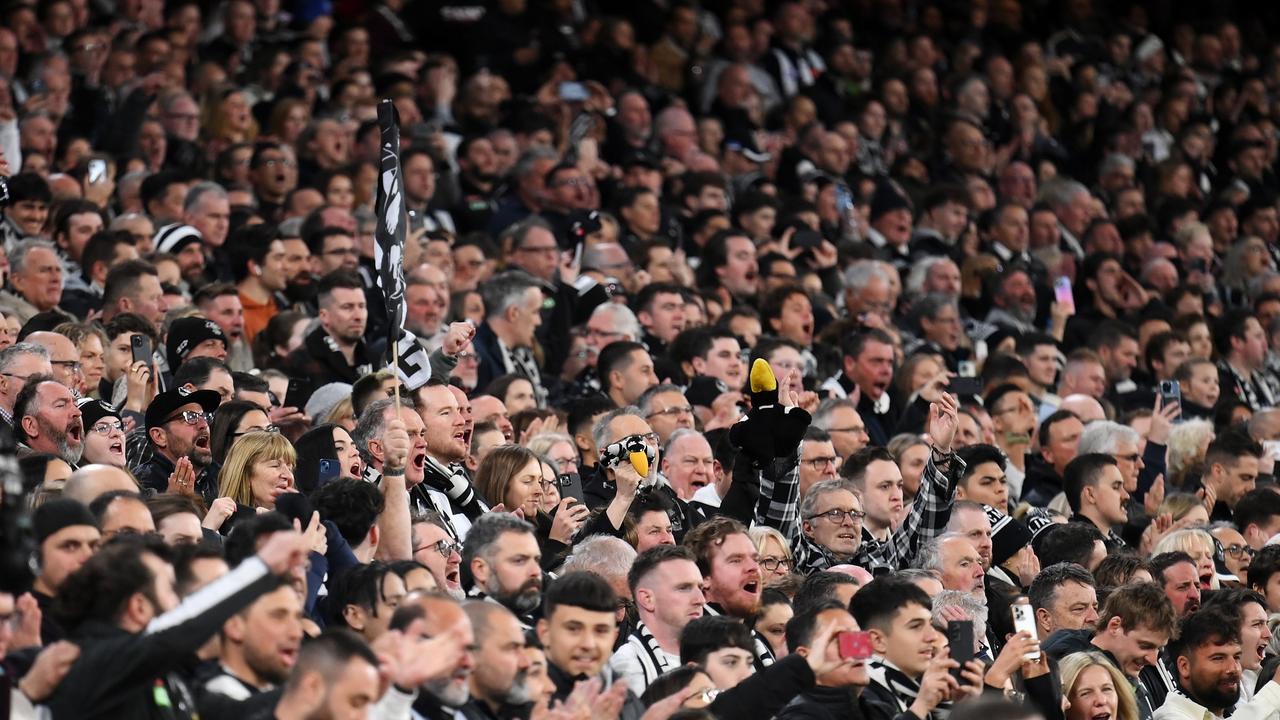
109	578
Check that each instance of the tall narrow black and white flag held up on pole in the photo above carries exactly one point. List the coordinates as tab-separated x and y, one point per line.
405	354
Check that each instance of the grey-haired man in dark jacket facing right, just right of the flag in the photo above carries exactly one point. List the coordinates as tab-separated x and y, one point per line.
505	341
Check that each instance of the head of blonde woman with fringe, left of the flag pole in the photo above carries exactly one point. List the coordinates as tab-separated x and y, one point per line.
259	470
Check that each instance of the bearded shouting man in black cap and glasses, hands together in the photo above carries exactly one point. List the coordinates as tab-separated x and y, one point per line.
177	425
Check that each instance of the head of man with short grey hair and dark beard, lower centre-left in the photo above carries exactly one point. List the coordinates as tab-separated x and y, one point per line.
502	554
